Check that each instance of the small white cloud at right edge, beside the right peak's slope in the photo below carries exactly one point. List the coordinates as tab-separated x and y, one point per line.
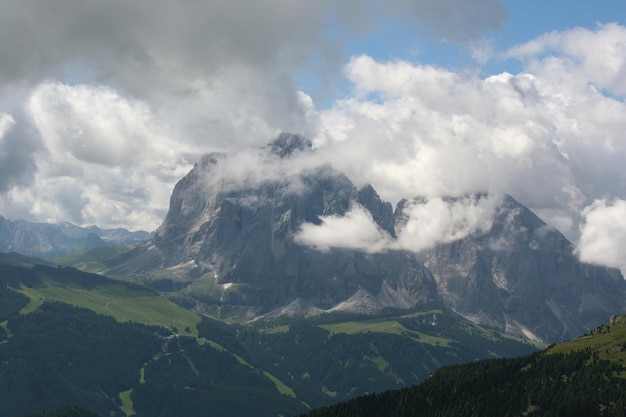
603	234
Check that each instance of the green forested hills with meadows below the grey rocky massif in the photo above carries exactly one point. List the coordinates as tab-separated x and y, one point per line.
116	348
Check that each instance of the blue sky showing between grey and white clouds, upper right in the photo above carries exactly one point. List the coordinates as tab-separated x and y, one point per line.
393	39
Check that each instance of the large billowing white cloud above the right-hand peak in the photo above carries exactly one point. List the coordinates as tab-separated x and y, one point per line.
552	135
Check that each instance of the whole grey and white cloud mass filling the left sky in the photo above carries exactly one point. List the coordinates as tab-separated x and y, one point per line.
111	102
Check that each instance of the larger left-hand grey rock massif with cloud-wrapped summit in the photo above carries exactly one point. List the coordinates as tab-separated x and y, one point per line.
245	237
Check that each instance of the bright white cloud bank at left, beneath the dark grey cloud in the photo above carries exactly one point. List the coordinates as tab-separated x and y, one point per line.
98	158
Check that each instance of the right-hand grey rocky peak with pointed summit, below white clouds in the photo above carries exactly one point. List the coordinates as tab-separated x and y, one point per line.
523	277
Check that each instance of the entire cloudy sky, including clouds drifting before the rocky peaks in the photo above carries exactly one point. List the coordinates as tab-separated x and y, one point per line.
105	105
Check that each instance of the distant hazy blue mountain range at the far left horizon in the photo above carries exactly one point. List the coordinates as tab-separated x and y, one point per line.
49	241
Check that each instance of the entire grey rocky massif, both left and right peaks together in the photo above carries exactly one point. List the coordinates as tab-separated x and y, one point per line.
521	276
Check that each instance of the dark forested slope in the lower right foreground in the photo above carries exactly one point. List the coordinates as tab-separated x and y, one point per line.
583	378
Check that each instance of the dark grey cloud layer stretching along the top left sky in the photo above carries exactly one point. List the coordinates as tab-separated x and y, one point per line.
166	48
